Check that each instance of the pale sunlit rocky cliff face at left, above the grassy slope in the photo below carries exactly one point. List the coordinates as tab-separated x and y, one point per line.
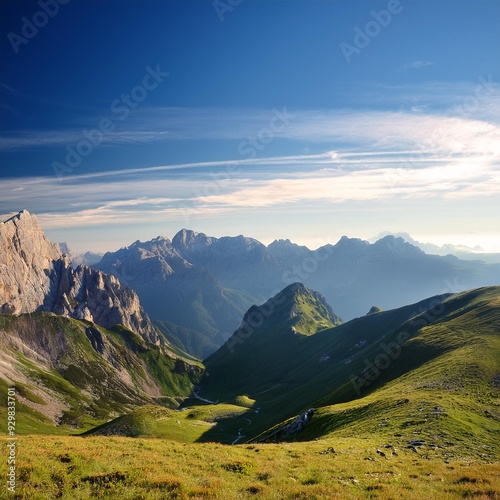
35	276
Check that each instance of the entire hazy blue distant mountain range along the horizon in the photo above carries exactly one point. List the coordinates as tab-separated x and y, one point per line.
198	287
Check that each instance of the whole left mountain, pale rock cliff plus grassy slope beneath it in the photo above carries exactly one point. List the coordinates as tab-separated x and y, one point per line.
77	342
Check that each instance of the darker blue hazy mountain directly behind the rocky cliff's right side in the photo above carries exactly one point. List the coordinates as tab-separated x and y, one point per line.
189	303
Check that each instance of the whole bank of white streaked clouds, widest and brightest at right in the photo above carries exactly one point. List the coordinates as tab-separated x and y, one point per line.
365	156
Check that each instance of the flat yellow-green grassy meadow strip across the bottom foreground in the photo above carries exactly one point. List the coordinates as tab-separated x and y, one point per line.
71	467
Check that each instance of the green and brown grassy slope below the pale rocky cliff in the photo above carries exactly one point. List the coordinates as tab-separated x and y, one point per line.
71	374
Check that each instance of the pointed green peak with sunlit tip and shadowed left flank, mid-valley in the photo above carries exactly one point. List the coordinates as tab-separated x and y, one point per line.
268	346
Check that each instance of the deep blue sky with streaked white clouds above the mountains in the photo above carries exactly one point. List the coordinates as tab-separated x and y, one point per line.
300	119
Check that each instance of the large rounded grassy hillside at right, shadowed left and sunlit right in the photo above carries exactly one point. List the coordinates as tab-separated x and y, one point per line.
442	353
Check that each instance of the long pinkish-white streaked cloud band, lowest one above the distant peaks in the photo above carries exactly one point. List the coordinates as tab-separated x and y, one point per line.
332	177
